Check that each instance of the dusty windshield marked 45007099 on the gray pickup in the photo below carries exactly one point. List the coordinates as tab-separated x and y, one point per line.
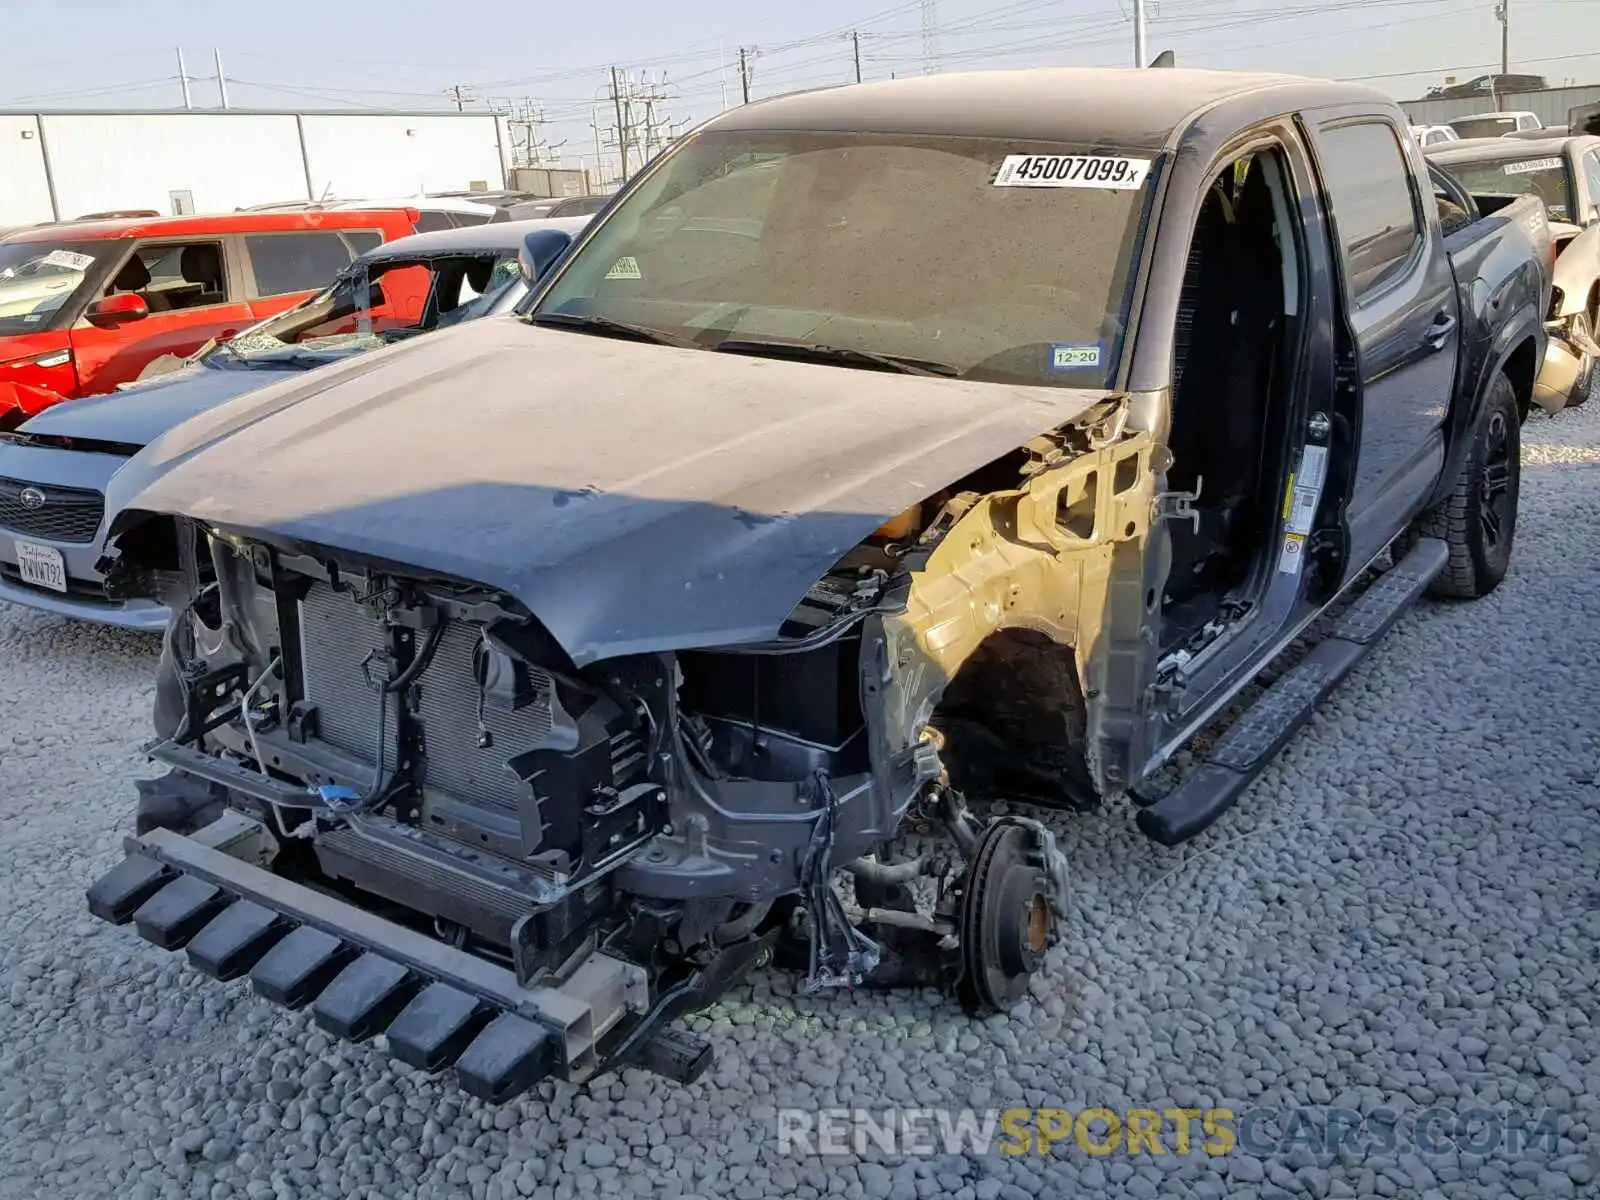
874	247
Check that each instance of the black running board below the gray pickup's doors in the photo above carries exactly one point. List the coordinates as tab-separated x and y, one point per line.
1266	727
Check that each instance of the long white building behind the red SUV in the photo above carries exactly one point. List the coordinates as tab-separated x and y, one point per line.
57	166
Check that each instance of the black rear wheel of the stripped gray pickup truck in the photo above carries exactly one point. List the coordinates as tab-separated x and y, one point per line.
1478	521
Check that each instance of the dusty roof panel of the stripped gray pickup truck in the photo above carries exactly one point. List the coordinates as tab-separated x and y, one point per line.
1113	106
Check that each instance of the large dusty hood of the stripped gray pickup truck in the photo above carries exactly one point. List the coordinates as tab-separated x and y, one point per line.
634	498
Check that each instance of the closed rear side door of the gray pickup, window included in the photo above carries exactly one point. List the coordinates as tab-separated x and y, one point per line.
1401	303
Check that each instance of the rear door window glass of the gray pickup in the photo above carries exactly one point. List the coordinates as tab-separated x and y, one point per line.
1374	206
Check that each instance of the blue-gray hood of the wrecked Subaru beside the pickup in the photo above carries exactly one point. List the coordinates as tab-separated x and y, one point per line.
140	415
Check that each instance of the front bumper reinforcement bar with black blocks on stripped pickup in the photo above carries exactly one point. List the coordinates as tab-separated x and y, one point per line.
362	975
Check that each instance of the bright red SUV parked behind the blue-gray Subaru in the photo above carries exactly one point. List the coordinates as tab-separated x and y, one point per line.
86	306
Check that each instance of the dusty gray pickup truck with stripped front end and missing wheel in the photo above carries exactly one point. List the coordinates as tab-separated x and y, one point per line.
878	452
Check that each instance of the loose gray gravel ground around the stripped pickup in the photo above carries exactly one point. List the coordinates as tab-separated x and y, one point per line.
1404	913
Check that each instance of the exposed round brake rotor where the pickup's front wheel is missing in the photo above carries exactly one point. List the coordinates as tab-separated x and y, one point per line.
1006	921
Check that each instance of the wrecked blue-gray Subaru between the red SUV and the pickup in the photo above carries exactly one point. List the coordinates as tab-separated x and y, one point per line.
55	468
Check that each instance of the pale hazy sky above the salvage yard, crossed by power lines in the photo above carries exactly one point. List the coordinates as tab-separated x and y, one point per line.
558	58
